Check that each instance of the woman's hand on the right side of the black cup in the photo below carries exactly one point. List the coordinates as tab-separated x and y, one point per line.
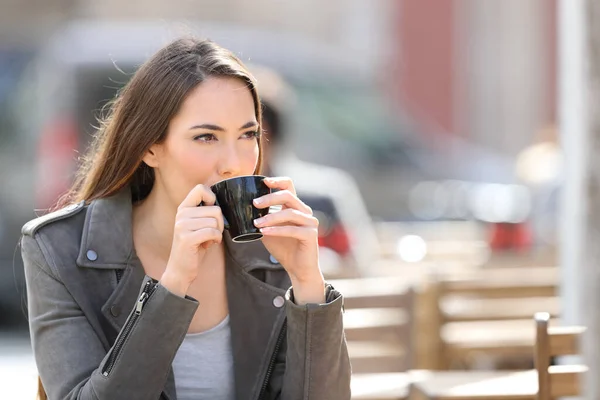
291	236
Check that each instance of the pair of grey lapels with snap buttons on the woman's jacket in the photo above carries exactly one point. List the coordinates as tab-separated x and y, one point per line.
107	239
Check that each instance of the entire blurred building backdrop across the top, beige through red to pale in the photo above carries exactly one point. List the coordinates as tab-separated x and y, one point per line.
481	69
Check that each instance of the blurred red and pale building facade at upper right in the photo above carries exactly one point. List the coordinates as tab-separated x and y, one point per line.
481	69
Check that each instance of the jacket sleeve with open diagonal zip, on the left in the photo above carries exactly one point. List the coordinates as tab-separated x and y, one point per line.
72	361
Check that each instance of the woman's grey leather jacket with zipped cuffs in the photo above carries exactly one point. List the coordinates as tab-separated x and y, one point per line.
102	329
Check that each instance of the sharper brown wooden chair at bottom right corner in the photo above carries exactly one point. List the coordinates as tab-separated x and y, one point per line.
557	380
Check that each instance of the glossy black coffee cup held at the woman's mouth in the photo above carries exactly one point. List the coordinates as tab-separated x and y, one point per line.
234	197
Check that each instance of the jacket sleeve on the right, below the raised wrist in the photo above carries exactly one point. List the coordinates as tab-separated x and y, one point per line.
317	362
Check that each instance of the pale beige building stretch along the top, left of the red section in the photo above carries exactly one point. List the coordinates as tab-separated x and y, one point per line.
357	25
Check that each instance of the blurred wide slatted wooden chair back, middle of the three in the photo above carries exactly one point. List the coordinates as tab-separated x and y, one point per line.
482	315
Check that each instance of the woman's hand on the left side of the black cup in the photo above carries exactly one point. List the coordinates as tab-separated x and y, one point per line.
196	229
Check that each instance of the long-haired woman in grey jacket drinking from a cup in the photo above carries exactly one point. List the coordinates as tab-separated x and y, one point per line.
135	292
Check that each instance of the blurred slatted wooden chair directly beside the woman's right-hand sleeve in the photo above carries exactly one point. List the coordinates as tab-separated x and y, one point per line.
378	321
